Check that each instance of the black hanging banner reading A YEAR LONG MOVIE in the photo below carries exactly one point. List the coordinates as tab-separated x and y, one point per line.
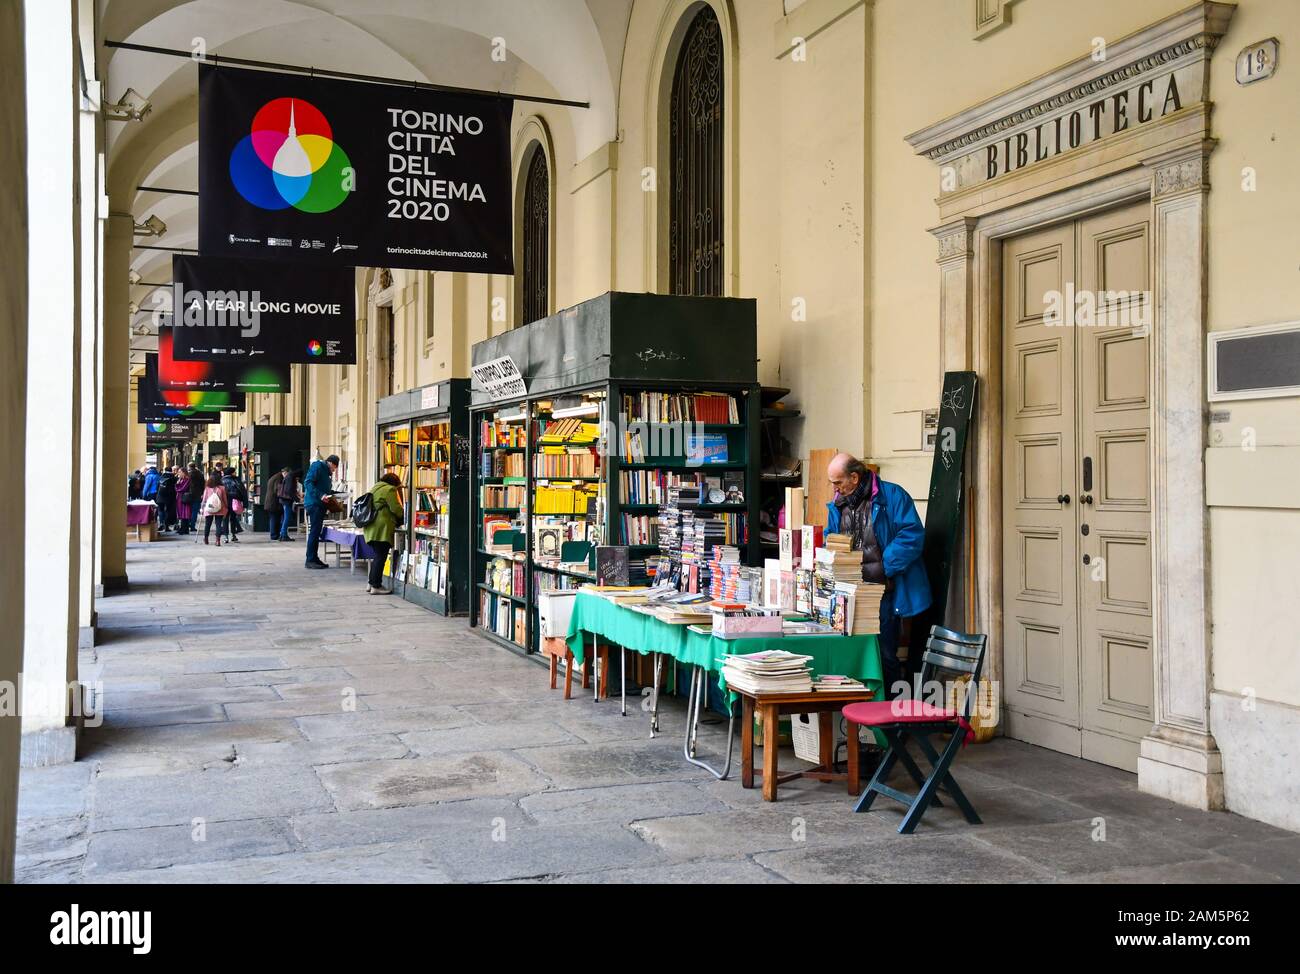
255	311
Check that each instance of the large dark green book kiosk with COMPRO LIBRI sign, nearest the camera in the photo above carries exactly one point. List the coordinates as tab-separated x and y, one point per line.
658	391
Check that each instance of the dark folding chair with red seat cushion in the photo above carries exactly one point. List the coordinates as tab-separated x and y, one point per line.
948	652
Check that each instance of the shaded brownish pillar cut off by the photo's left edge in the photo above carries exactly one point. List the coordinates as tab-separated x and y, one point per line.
14	405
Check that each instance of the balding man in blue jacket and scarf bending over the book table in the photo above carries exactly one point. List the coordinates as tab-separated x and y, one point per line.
882	520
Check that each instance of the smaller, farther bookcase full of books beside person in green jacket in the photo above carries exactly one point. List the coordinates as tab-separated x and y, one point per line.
424	440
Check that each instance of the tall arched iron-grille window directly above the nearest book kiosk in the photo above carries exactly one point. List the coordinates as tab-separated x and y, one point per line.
696	151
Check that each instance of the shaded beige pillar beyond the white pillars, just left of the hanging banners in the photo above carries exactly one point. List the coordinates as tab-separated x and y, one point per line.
115	419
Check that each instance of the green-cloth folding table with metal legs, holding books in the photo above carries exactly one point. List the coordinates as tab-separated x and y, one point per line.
642	633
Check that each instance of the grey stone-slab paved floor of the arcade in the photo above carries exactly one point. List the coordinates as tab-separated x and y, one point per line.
226	755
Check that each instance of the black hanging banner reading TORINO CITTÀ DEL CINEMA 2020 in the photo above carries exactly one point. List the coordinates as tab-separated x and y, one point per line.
353	174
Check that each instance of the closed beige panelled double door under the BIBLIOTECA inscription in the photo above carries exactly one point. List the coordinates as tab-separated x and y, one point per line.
1077	504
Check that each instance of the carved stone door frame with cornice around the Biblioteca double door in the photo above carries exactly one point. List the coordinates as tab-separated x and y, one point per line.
1165	163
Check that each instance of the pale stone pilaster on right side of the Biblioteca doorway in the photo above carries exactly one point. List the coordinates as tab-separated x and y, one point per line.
1180	760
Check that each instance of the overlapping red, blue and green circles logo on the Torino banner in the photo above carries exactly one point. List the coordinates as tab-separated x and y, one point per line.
291	159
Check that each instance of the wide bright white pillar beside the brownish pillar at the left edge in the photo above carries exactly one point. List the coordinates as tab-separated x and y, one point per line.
53	456
